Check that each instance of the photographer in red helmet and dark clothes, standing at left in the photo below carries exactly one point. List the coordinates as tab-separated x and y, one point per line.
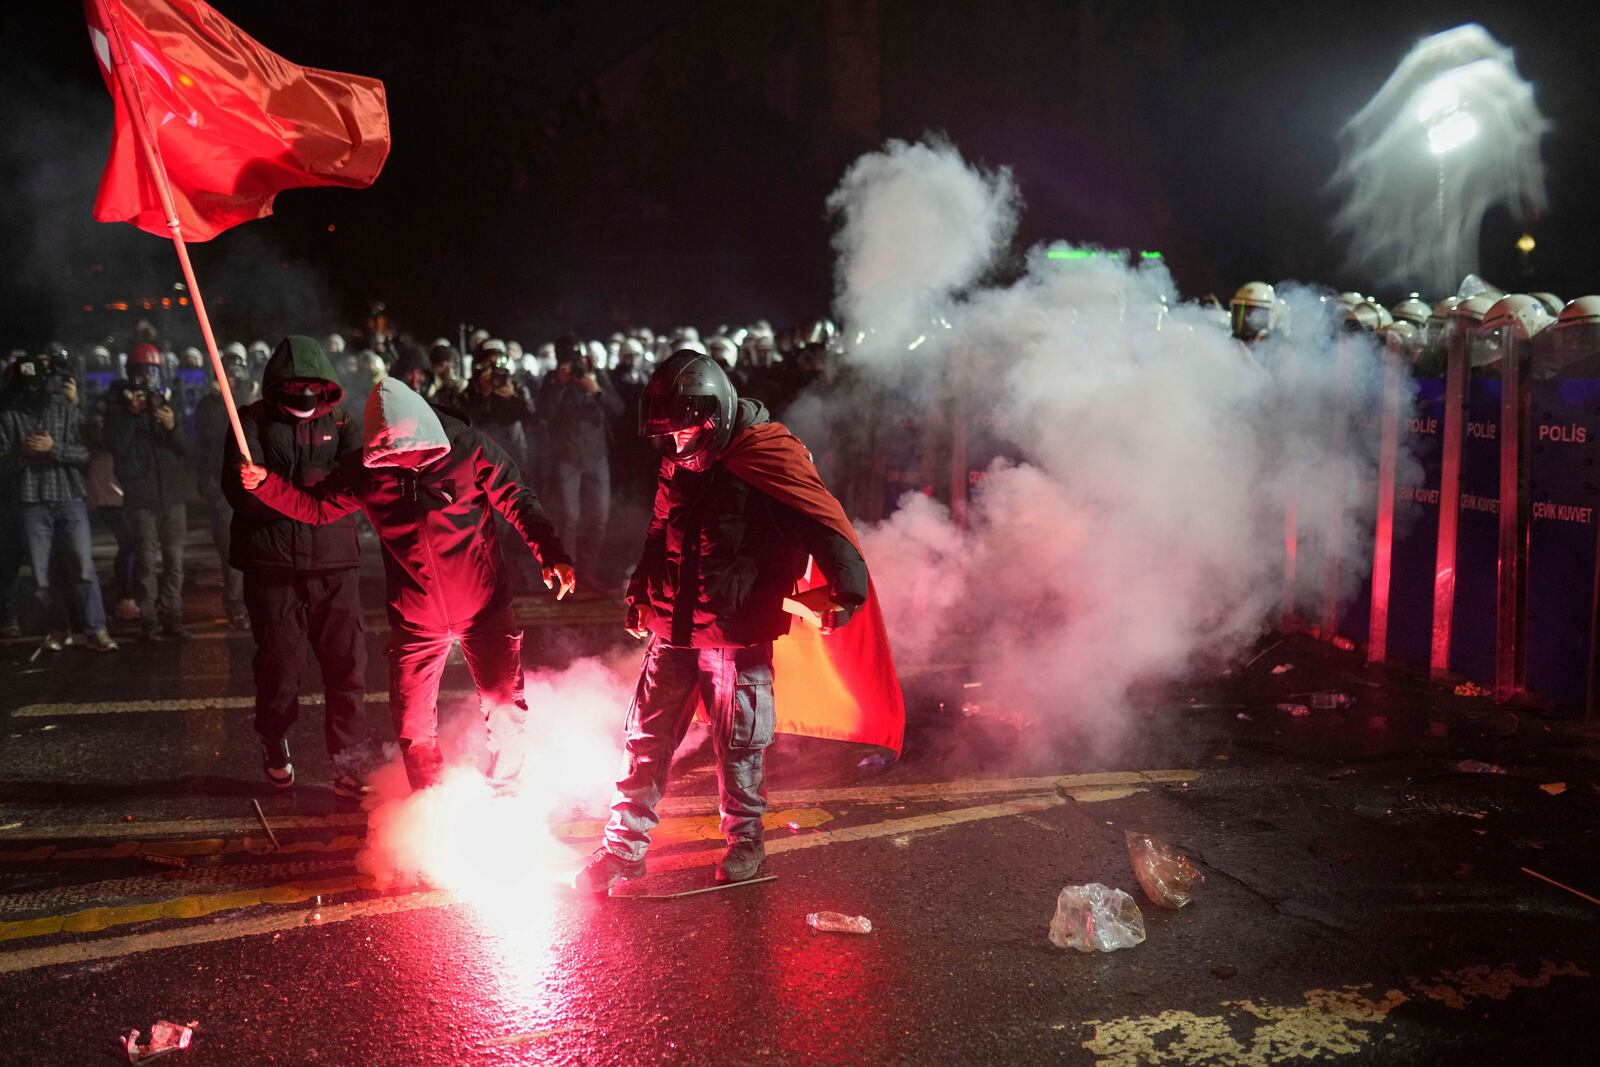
151	457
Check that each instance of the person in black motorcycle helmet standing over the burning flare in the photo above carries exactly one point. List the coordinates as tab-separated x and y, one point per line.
729	540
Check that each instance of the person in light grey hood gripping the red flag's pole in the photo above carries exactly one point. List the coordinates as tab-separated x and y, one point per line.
428	484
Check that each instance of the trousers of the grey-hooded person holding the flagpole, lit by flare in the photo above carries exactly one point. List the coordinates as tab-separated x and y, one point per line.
492	645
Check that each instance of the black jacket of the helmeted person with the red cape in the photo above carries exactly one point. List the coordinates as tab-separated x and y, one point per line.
721	556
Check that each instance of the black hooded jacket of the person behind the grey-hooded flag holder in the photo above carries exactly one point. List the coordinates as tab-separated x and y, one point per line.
303	452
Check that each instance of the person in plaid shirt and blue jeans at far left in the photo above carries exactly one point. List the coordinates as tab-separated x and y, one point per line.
42	449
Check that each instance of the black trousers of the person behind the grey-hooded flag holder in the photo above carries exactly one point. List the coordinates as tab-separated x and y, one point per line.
290	612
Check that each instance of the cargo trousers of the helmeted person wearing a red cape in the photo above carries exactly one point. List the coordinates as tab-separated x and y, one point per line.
737	689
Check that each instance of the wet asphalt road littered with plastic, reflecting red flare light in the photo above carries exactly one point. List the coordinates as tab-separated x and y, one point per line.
1366	901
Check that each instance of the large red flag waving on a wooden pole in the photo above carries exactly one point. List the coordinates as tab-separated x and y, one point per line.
234	124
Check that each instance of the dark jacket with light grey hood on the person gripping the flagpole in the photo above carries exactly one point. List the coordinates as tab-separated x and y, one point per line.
441	554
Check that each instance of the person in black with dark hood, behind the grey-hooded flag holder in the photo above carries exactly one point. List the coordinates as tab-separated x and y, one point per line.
302	581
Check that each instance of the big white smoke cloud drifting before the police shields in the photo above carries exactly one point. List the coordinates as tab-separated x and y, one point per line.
1135	524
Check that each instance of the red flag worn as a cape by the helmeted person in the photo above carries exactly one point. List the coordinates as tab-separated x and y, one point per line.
842	685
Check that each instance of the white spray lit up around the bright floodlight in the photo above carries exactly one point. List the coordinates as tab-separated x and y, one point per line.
1452	134
